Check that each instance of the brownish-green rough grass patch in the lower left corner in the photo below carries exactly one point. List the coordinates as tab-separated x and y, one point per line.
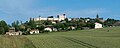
15	42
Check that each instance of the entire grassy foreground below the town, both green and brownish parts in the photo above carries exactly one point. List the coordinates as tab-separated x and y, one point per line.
95	38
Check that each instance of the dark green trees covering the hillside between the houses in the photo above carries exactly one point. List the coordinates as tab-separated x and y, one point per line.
78	23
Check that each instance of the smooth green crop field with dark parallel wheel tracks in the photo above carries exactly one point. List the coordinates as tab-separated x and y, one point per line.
99	38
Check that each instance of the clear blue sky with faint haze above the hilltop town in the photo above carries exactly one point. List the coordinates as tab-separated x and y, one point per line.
12	10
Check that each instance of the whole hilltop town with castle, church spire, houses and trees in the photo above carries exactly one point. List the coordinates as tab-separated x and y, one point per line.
52	24
